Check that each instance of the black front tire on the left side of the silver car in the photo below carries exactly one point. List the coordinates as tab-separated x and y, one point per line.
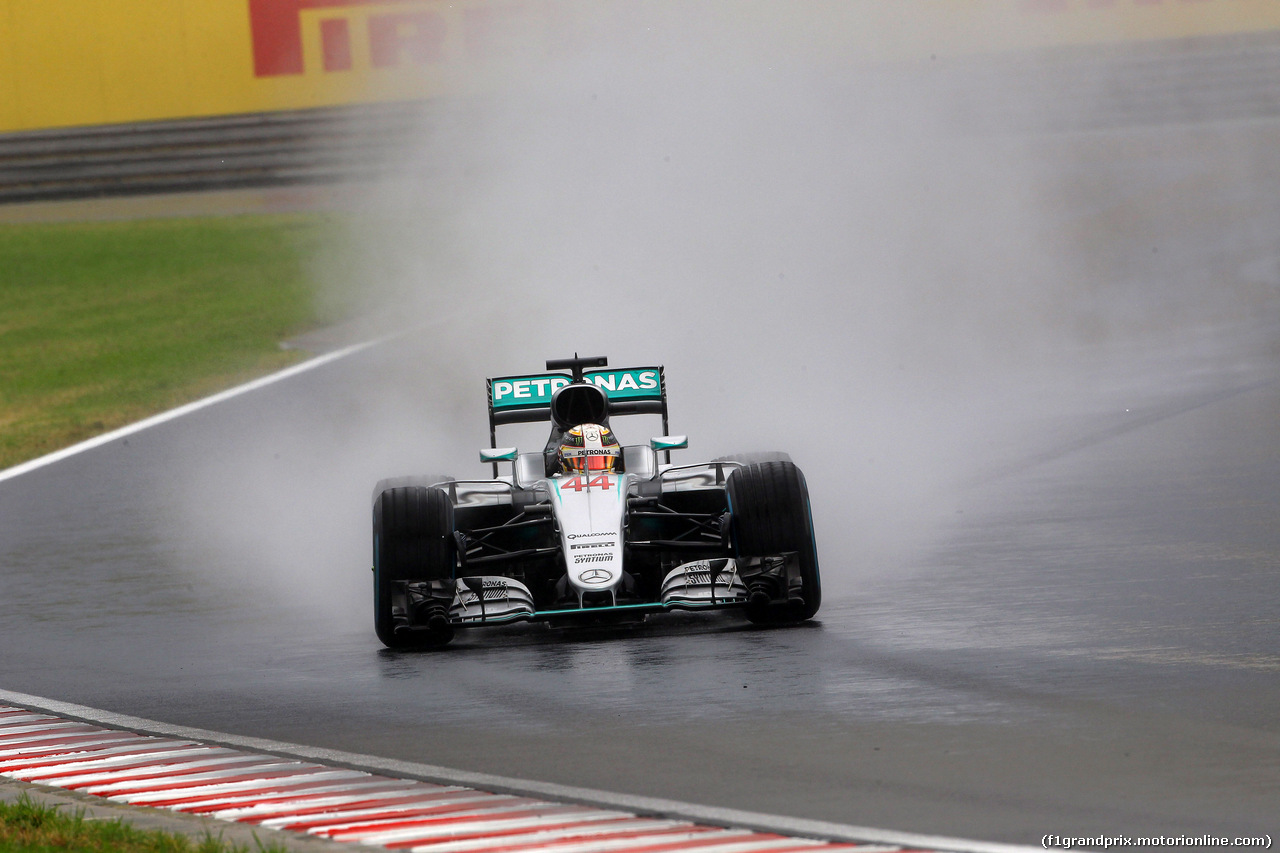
413	541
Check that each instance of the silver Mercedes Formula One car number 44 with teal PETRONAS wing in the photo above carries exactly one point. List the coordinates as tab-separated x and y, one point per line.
588	531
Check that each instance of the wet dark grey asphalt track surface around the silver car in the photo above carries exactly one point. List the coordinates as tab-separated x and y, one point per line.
1091	644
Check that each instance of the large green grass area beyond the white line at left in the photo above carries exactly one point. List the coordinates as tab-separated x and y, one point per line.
106	323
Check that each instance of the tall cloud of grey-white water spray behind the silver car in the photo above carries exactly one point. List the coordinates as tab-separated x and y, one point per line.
836	258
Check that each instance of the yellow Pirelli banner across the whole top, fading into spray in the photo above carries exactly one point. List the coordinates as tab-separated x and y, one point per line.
97	62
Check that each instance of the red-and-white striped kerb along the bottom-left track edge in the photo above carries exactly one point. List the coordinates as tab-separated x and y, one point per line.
346	805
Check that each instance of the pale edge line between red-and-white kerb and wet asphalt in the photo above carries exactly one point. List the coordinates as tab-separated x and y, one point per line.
509	784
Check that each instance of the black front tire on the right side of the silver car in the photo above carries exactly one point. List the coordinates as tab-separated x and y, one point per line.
770	503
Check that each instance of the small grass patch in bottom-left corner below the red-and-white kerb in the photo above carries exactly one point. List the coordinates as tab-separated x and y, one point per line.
33	828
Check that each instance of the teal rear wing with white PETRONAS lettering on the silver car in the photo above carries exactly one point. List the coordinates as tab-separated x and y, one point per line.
528	399
